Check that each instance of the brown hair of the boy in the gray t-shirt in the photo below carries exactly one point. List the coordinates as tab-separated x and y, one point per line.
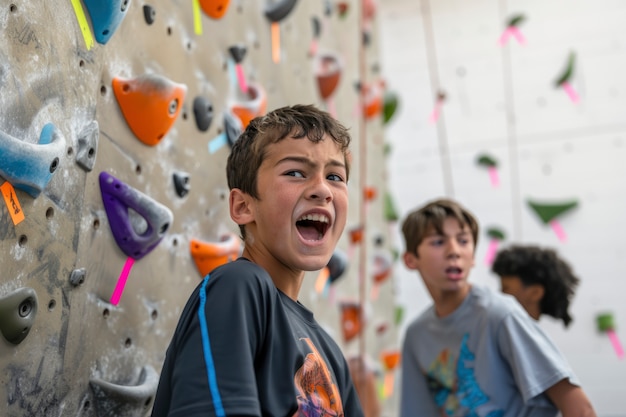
418	223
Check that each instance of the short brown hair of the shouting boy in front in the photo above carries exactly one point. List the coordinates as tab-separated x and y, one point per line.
298	121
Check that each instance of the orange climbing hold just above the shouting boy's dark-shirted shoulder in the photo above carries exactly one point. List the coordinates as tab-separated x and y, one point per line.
210	255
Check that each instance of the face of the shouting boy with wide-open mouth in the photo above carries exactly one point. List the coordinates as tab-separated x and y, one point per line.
302	206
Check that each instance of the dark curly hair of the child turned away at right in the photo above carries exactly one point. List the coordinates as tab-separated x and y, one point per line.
534	265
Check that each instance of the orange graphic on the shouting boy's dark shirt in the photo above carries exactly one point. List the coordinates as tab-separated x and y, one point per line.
318	395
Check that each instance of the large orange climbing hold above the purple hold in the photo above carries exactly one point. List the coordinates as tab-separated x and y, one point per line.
150	104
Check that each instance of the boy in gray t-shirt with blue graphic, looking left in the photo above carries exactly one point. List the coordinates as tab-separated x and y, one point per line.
474	352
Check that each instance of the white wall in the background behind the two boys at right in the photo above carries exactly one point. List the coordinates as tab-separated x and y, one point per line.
502	101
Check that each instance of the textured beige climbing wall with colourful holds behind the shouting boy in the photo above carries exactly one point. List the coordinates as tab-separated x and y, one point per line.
116	124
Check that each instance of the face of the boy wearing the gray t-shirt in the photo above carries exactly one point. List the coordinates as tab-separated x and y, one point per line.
444	261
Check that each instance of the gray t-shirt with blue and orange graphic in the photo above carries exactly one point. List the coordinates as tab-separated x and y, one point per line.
486	359
